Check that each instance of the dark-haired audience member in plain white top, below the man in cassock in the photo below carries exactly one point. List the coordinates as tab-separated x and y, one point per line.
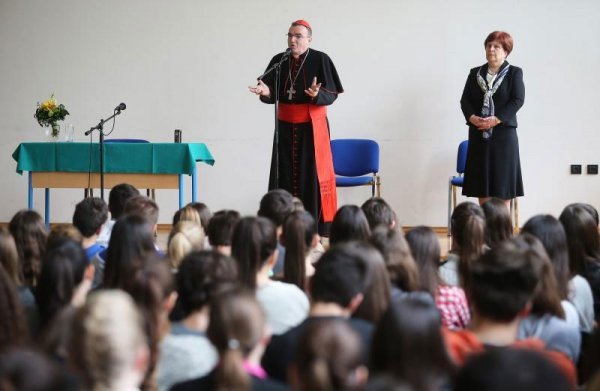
254	247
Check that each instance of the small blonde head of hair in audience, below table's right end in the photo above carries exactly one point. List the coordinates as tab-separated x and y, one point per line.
185	237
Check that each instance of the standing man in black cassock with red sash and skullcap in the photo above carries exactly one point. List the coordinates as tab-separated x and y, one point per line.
308	84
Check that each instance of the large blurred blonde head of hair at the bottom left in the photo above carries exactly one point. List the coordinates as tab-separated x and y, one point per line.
106	338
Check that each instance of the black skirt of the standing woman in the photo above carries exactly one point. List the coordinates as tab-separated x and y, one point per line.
493	165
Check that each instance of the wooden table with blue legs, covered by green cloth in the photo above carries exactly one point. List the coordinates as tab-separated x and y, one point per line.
77	165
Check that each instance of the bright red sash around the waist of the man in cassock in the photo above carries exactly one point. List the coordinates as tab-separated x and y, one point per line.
317	115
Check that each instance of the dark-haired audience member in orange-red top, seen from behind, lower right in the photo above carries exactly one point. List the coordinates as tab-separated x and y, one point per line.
500	288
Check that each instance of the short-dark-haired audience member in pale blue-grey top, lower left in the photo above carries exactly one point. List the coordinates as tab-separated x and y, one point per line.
186	353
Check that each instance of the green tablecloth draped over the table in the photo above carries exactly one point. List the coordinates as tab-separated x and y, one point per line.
148	158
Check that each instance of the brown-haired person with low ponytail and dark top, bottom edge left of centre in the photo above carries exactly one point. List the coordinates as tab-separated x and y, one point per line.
238	330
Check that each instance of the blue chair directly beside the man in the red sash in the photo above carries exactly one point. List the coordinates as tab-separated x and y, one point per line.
353	161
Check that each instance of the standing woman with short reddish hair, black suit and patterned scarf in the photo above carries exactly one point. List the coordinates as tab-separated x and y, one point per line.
493	94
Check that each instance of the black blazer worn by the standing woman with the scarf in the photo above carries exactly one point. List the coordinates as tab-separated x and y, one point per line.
508	99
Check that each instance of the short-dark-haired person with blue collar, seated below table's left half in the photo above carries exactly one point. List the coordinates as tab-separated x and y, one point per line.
89	217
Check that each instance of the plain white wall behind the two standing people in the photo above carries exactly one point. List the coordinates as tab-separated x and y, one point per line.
187	64
